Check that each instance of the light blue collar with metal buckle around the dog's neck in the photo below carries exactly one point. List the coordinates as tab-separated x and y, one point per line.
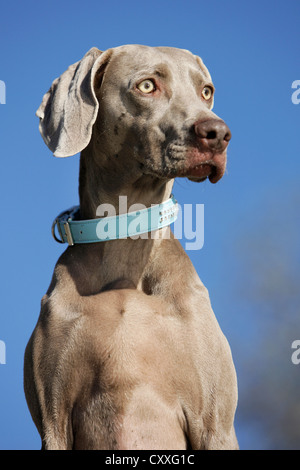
72	230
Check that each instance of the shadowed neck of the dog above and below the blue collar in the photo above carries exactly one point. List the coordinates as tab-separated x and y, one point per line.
124	262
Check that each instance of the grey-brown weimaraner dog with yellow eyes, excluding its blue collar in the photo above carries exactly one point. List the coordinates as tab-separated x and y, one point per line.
127	352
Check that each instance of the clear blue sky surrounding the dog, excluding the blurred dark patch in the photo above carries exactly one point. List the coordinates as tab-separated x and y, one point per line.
252	51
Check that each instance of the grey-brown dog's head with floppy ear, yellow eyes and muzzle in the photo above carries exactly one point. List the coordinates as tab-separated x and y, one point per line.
149	108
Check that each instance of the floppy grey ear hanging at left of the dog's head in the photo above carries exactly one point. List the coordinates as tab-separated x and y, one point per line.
69	109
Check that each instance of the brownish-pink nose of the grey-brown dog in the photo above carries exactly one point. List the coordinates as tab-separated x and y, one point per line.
213	135
